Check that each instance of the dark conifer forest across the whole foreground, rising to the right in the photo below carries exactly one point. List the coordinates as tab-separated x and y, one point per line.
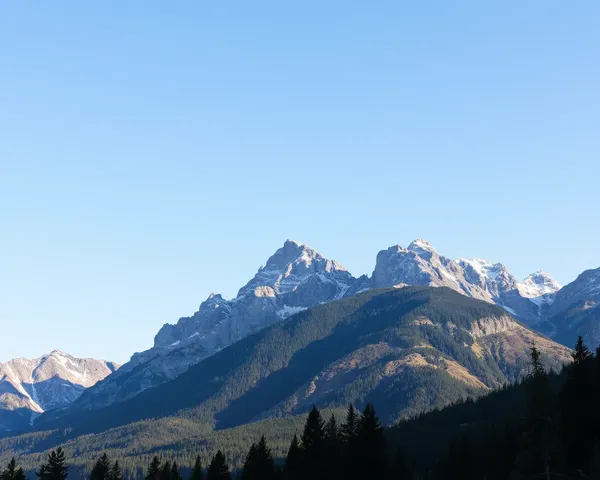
547	426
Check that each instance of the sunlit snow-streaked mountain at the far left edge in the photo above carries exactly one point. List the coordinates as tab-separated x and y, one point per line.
30	387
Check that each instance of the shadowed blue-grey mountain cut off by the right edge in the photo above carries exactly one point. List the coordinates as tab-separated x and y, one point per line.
576	311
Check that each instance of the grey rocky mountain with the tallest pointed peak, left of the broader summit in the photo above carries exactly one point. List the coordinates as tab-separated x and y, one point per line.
294	278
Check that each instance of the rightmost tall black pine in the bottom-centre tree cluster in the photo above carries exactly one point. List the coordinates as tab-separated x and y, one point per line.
371	444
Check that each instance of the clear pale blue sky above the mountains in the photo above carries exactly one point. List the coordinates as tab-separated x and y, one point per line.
154	152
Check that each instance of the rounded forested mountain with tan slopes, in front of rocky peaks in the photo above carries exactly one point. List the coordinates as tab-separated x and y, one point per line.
406	349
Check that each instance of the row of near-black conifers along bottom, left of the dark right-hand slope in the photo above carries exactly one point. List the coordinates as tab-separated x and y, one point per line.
356	449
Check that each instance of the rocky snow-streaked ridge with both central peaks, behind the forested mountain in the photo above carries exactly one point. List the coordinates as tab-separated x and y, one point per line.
297	277
